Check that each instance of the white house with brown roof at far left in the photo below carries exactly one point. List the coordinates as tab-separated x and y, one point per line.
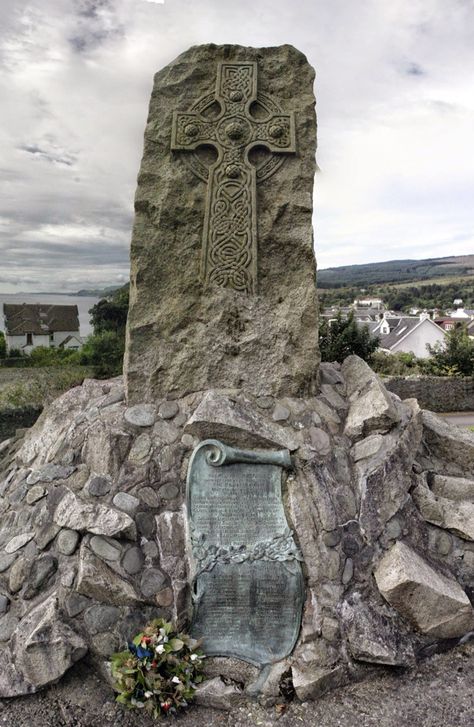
28	326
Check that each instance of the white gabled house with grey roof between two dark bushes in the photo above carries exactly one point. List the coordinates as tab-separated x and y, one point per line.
409	335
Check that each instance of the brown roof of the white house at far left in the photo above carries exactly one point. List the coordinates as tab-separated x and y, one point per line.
39	319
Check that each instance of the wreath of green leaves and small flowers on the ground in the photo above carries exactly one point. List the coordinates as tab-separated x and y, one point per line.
159	671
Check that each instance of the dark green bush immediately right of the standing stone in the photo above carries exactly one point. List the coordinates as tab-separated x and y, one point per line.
342	337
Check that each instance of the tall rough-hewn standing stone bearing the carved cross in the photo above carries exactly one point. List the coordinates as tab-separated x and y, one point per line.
223	273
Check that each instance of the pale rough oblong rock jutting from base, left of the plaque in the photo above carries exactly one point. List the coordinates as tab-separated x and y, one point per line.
78	514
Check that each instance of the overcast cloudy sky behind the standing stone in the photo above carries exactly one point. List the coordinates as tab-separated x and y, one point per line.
395	102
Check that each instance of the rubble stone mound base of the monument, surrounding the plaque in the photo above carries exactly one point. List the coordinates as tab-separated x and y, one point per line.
93	529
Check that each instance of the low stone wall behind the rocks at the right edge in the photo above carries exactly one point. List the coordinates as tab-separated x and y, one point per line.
436	393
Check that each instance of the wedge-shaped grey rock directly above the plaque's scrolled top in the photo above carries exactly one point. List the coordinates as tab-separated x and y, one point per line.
237	423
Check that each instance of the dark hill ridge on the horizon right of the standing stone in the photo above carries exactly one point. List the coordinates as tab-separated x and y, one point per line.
396	271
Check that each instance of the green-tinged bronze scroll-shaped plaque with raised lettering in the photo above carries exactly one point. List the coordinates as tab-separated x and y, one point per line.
248	583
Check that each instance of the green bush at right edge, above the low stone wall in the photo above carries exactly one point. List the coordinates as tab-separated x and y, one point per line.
454	357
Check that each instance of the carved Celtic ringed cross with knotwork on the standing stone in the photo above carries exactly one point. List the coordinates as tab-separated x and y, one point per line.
229	250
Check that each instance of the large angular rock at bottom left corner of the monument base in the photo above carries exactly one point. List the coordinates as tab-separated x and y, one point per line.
44	649
